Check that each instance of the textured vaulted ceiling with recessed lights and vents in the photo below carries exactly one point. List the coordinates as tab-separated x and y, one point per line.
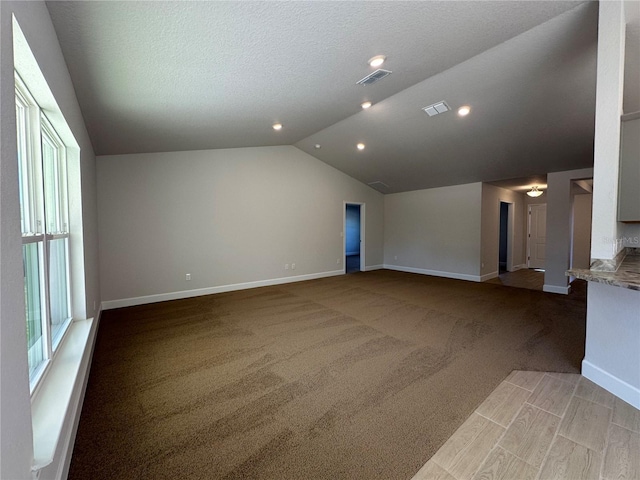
169	76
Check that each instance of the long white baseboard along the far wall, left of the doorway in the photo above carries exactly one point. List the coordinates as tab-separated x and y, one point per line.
163	297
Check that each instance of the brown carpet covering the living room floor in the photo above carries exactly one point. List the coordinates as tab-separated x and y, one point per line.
360	376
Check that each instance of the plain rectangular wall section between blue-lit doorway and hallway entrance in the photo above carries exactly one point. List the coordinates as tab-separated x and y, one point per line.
434	231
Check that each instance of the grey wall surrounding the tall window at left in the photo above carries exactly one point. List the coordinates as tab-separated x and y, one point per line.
15	411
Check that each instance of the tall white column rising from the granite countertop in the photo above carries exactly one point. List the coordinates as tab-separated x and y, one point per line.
609	89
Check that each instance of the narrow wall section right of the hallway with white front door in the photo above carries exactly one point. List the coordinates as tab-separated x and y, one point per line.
559	213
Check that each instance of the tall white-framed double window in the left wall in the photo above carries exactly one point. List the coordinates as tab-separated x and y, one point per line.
42	174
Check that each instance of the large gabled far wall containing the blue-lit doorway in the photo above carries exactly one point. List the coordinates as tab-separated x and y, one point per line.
227	217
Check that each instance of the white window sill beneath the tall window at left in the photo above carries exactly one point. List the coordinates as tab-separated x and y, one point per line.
54	401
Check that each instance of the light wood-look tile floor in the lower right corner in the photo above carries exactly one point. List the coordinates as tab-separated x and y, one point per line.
539	426
